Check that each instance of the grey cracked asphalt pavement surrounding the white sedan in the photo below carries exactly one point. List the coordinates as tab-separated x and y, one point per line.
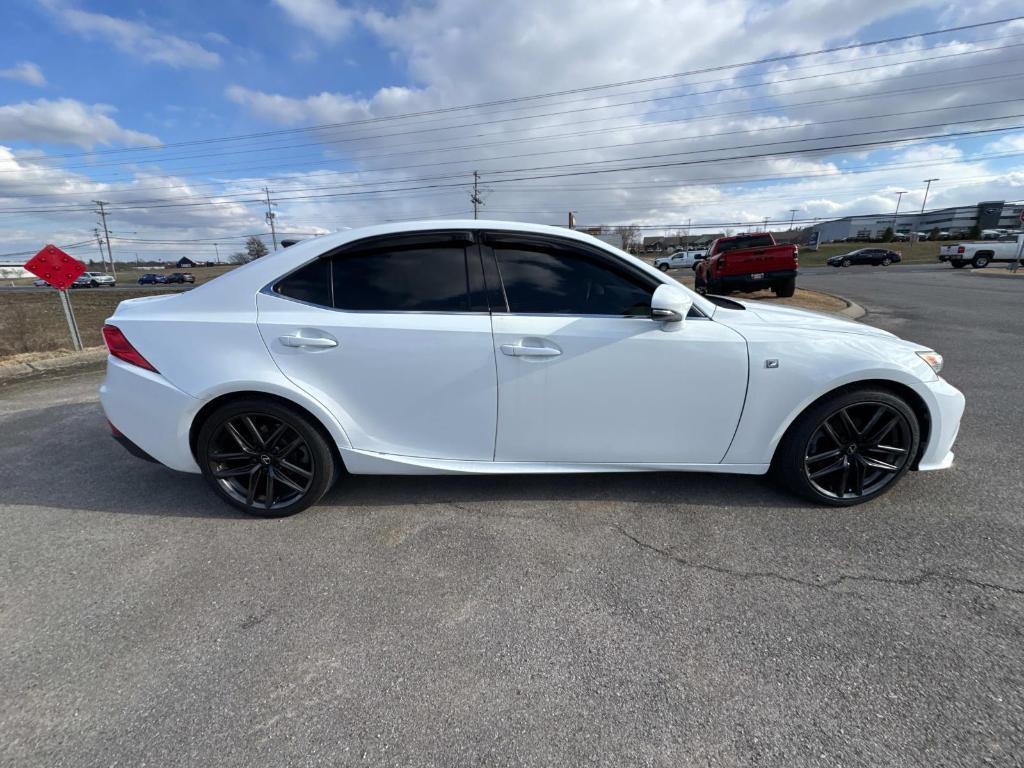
631	620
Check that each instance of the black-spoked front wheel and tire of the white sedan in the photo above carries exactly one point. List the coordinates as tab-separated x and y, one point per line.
825	457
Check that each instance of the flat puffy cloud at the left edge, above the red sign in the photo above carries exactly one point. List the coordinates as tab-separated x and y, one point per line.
66	121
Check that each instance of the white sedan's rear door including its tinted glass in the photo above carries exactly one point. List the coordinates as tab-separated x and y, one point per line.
394	335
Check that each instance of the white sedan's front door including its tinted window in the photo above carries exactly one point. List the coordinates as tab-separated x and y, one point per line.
586	376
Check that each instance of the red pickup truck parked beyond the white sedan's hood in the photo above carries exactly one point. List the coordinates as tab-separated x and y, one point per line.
749	263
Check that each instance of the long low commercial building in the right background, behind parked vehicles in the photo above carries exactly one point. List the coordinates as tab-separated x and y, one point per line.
993	215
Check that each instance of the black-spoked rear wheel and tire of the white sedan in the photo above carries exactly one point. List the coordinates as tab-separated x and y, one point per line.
298	459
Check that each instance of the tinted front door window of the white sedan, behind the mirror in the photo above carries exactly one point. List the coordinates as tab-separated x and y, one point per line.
564	282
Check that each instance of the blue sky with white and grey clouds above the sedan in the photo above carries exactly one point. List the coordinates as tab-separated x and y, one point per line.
624	111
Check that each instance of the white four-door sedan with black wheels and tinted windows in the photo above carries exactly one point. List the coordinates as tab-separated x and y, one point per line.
495	348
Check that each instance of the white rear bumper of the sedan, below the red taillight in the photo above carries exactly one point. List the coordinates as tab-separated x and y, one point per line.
152	415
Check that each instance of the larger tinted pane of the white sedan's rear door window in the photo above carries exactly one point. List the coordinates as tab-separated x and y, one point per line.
430	279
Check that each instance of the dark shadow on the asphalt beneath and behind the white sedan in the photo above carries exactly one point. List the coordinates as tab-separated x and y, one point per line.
63	457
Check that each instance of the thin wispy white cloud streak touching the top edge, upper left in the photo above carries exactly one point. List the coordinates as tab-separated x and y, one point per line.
135	38
